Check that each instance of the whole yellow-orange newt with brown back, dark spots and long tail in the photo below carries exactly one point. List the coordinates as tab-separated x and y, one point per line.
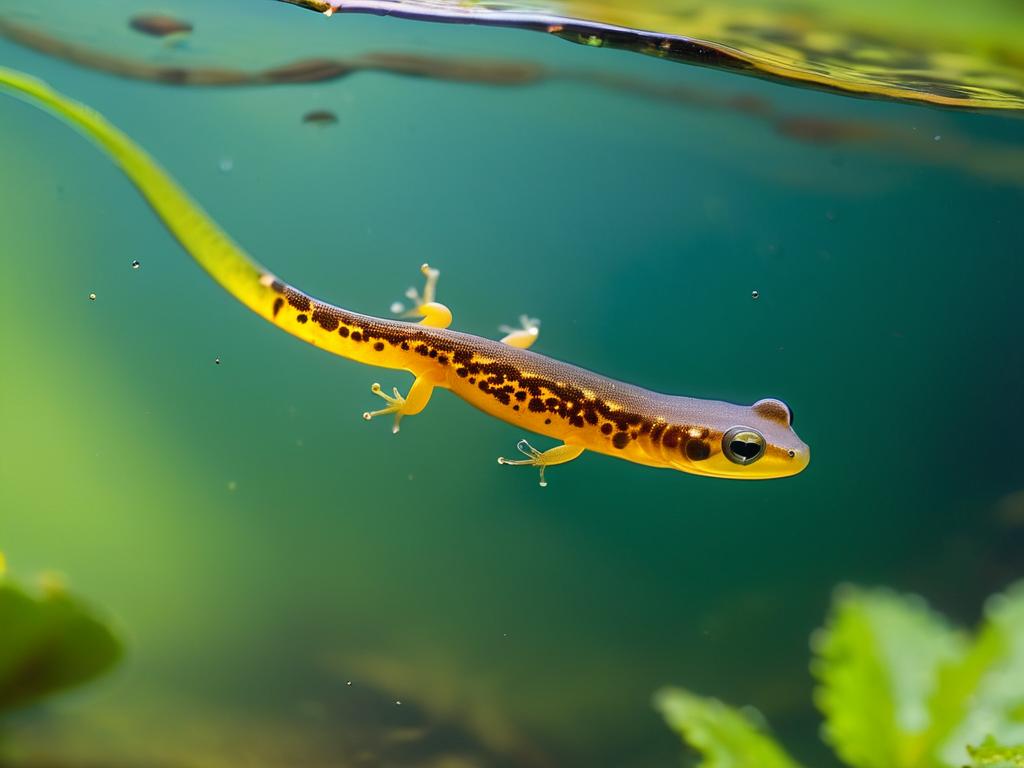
583	411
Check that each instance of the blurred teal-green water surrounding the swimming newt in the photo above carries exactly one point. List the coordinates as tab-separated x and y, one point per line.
286	573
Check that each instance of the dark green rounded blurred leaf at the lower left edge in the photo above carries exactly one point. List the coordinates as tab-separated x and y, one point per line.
50	641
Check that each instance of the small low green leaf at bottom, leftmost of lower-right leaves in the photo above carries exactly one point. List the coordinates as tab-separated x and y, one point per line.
724	737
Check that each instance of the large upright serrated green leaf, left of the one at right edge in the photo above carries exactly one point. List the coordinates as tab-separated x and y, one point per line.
876	662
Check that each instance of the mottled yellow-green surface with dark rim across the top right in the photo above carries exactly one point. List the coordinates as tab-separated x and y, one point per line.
957	55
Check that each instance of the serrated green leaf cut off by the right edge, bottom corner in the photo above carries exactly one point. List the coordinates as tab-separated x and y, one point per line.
983	695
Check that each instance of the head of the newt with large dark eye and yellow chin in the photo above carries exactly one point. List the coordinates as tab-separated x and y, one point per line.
753	443
